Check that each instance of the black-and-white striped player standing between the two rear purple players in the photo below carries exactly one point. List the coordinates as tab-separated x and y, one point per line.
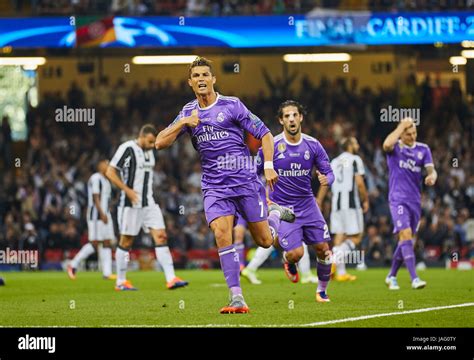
349	202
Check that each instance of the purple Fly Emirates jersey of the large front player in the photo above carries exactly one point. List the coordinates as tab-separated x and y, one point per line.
219	139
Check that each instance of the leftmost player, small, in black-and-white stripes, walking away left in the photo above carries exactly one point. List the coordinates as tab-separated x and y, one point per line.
99	223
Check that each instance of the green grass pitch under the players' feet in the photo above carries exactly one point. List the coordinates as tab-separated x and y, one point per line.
51	299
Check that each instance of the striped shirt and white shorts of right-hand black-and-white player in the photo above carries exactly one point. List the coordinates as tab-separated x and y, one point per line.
346	211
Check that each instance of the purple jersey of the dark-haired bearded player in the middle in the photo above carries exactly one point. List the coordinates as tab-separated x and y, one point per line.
294	165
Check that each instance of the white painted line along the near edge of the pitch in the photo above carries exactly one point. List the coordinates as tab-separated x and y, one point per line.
320	323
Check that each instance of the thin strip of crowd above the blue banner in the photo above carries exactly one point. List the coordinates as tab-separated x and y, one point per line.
224	7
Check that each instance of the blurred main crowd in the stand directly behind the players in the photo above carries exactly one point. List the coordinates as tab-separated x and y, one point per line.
43	197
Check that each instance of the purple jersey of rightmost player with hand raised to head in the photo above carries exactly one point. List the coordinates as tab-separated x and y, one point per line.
405	166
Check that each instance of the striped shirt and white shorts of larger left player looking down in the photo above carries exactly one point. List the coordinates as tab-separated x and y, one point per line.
136	170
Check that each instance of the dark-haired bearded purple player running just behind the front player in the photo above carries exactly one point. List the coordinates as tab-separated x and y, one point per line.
296	155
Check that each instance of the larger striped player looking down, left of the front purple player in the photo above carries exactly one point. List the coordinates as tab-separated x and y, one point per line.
135	161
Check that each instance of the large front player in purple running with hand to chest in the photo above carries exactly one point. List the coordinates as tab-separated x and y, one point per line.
216	124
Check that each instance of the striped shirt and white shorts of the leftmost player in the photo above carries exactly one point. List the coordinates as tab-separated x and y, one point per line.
98	184
